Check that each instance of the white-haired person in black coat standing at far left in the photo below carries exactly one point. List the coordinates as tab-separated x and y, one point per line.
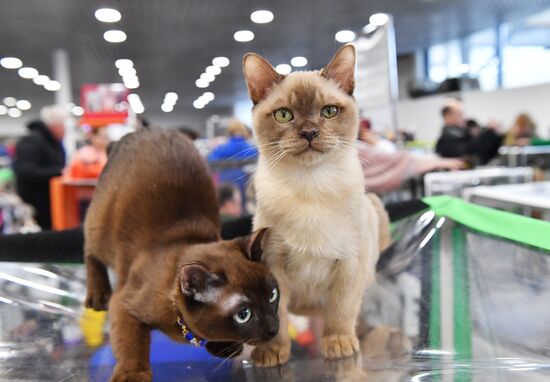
40	156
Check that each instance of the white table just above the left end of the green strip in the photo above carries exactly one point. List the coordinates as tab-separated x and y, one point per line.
453	183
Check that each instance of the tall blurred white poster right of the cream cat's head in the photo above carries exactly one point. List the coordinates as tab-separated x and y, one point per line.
376	77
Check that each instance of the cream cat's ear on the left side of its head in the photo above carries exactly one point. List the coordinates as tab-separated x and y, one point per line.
260	76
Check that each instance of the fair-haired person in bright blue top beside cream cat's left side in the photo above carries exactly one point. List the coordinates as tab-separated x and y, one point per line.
237	148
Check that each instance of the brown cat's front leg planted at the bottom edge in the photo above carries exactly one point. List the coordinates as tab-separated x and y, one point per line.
131	341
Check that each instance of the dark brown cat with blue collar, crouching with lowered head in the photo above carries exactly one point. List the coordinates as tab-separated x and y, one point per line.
154	219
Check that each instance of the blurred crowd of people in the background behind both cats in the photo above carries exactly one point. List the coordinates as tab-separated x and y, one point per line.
386	158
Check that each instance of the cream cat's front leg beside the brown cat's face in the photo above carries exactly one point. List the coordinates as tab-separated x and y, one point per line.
277	351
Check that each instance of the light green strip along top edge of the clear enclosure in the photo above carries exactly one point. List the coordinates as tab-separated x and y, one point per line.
494	222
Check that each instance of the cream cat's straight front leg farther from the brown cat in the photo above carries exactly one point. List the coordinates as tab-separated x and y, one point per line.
341	311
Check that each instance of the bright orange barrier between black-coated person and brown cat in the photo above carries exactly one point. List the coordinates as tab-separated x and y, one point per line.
64	200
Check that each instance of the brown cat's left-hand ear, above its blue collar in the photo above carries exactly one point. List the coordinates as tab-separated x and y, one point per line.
198	282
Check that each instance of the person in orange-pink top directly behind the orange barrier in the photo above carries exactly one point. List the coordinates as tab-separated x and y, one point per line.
89	160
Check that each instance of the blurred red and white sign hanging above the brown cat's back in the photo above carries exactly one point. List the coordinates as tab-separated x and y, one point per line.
104	104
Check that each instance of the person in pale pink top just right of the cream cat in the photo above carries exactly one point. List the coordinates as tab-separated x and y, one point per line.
384	172
